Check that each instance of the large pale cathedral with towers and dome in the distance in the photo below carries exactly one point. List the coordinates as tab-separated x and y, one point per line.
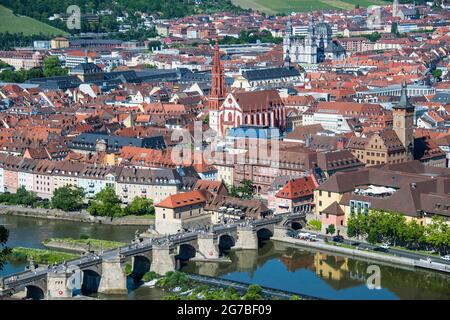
317	45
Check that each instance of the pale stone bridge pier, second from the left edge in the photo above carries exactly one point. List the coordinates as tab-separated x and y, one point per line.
114	279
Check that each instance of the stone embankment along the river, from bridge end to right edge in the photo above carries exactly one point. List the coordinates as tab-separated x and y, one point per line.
383	257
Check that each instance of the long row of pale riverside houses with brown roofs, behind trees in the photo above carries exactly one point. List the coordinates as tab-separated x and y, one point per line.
43	177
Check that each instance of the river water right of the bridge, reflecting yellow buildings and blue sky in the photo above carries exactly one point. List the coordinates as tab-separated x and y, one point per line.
323	274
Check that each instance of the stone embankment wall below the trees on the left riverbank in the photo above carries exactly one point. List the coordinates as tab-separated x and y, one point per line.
77	216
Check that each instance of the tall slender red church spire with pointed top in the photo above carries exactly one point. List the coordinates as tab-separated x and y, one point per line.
217	95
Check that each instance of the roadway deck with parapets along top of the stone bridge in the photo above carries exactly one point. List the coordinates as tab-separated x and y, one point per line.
17	280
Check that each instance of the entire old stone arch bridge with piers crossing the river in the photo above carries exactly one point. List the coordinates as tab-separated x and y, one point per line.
106	273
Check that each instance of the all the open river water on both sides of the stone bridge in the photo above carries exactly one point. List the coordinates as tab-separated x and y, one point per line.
275	265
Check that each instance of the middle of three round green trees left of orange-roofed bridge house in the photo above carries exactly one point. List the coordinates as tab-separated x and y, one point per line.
106	203
